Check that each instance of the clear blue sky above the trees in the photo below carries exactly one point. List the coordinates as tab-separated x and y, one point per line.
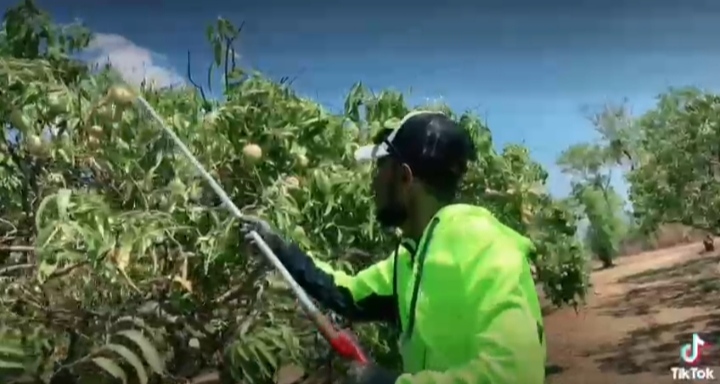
526	67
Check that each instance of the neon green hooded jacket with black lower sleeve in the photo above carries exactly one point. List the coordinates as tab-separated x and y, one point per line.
477	316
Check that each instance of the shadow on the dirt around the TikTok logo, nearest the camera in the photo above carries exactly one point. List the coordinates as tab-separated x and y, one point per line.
657	348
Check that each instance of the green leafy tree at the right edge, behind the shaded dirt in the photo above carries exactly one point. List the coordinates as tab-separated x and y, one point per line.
676	180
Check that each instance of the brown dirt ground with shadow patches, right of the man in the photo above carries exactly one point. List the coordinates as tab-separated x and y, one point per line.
638	315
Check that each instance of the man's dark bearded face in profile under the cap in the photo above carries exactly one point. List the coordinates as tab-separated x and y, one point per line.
391	186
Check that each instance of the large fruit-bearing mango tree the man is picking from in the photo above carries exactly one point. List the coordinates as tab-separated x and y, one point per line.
119	261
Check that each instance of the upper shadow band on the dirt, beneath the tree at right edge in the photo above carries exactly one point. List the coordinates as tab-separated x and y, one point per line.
695	283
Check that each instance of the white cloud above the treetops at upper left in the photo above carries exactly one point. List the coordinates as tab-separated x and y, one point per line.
134	62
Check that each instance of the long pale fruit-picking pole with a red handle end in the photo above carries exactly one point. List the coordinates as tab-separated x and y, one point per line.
342	342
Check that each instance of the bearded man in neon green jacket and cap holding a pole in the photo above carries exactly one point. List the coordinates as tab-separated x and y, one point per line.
459	287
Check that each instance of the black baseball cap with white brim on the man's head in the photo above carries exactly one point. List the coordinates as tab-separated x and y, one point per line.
429	142
